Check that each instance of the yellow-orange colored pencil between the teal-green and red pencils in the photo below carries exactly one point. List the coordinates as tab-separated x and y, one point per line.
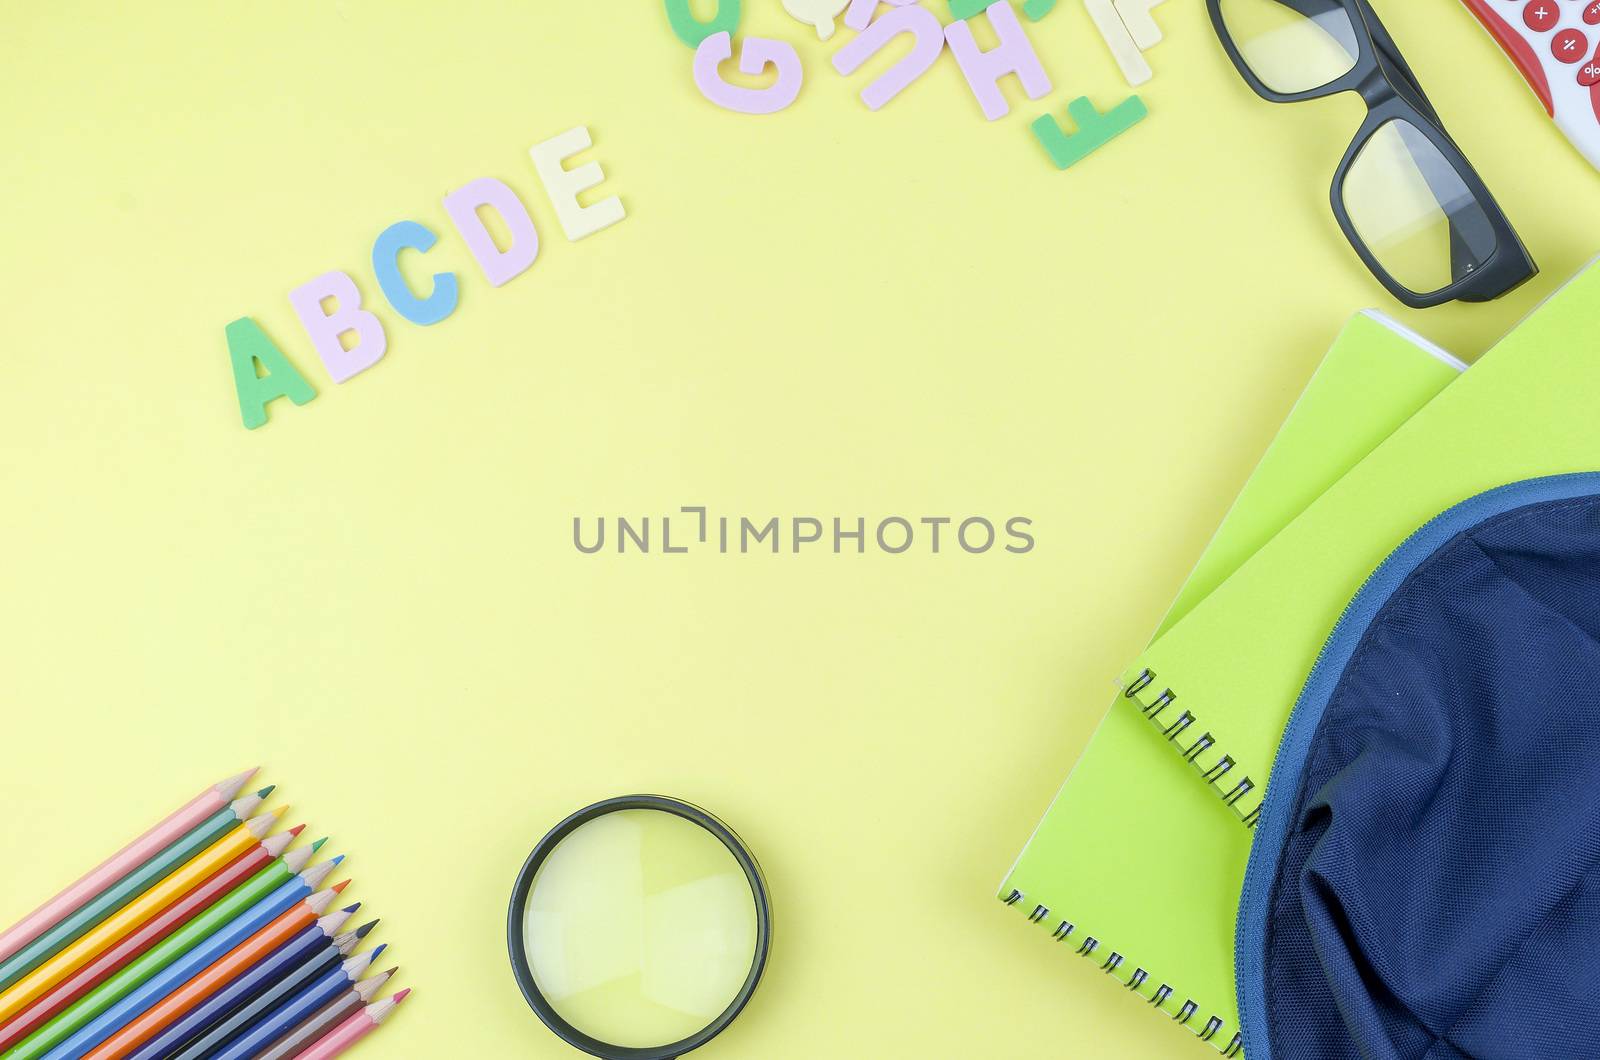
132	917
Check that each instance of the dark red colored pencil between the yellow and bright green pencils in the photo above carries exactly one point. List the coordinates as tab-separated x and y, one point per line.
156	931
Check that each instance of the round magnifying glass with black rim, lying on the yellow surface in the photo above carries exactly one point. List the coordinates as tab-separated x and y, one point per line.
639	928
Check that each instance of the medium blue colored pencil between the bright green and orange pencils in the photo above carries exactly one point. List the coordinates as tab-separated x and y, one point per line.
191	963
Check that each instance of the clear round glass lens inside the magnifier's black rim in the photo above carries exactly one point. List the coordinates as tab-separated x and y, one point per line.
641	928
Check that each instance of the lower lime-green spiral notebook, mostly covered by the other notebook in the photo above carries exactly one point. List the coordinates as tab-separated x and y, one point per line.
1106	872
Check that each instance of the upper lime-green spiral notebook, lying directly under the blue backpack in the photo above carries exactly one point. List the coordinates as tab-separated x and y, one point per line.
1238	660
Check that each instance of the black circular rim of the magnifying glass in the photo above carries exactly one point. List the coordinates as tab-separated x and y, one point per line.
519	955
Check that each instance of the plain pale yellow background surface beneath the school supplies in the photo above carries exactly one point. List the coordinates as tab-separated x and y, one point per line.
820	313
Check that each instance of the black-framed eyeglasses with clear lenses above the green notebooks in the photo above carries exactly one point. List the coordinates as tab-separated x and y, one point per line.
1409	201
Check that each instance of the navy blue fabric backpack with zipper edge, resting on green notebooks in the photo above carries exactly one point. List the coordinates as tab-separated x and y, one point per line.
1425	883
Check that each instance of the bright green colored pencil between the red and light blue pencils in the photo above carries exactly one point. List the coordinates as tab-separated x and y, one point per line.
174	947
